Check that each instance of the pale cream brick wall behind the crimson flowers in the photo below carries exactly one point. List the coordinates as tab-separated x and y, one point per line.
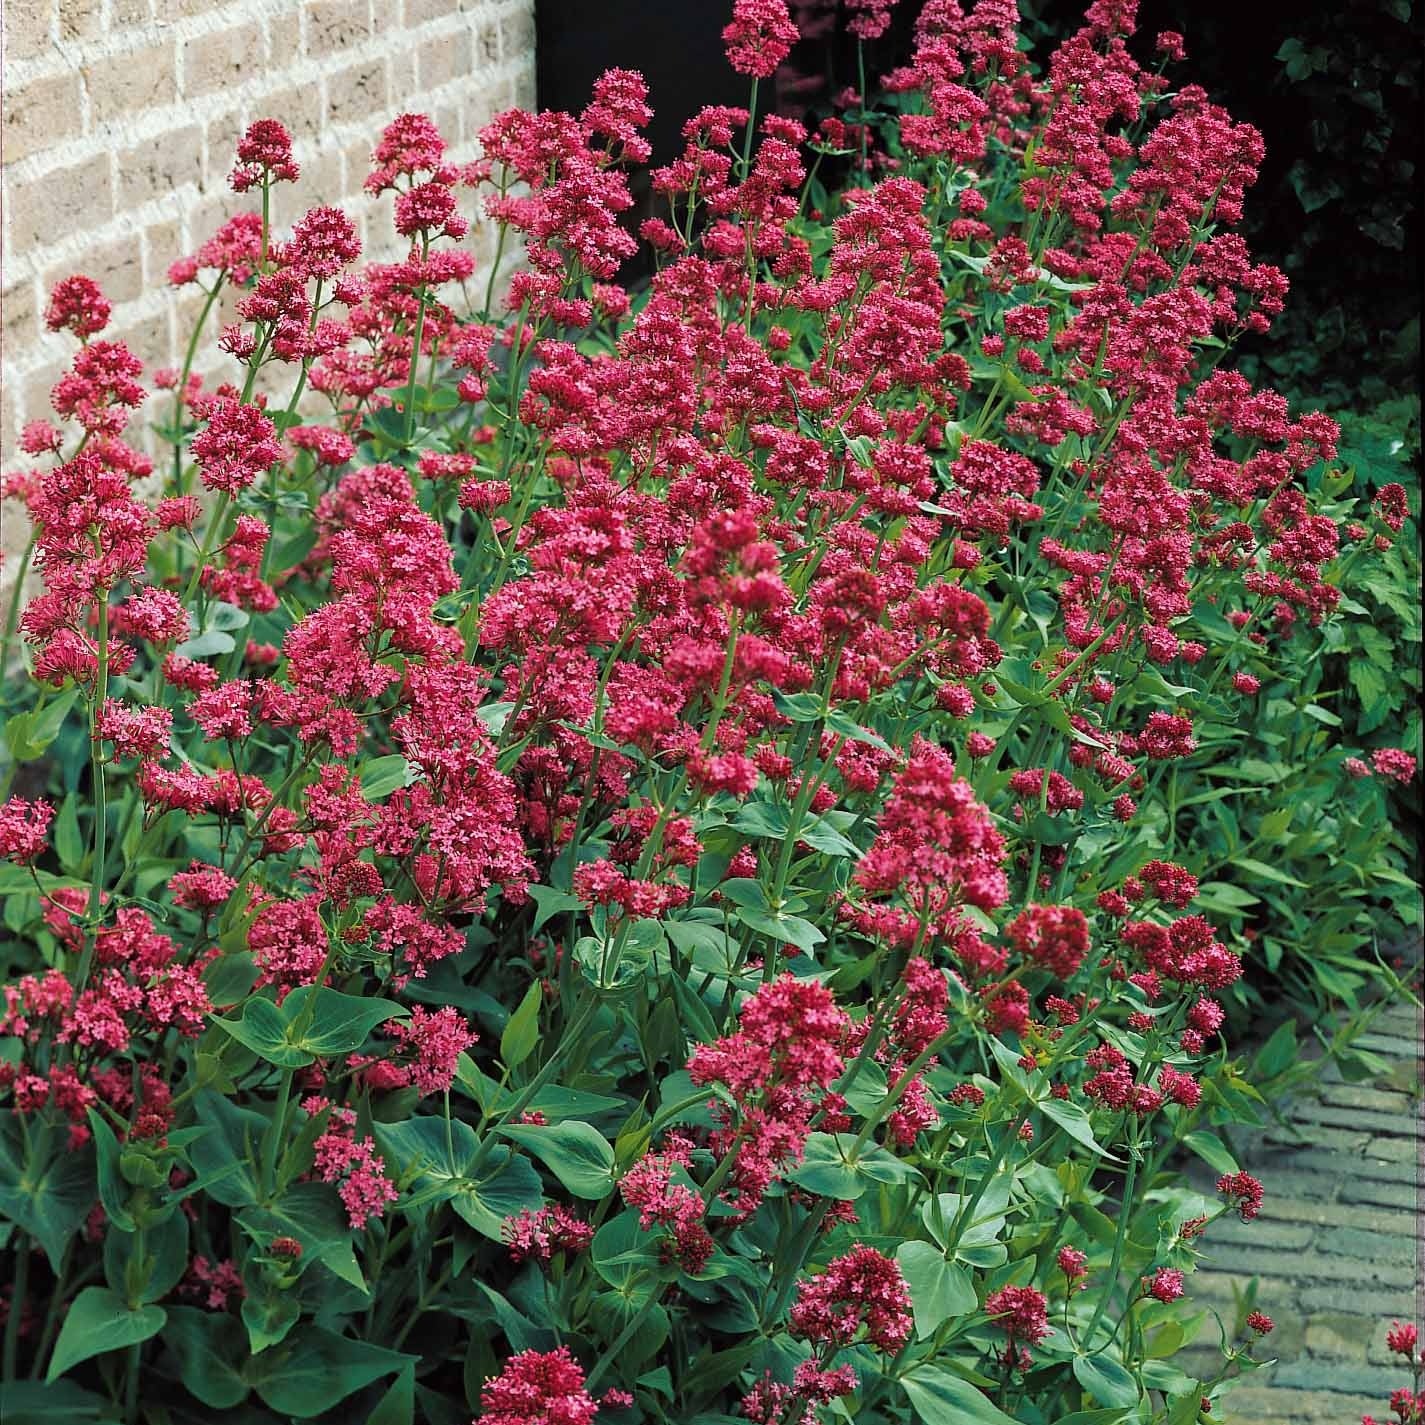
119	129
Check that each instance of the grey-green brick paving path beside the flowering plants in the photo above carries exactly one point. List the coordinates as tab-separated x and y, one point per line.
1339	1248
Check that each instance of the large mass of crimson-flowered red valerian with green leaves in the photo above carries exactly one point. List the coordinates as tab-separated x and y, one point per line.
642	854
